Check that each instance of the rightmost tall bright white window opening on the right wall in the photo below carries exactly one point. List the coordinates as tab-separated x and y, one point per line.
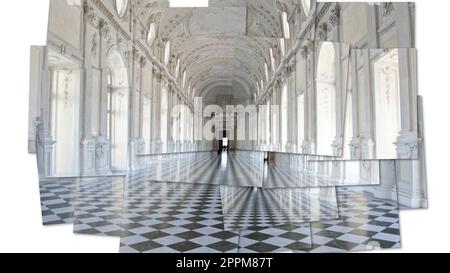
387	99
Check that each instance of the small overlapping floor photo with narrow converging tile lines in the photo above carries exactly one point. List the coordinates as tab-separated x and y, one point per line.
248	208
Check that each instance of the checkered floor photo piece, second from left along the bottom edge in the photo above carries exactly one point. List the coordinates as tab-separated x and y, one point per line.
98	206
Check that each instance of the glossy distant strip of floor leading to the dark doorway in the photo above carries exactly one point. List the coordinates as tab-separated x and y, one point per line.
239	168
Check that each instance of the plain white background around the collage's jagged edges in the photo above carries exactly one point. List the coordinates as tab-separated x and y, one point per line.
24	23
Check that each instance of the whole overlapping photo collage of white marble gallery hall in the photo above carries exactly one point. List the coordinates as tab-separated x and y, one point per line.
229	126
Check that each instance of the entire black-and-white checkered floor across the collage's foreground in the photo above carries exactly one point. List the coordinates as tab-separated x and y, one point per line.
166	217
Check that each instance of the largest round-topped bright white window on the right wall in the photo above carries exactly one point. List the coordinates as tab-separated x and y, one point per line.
325	99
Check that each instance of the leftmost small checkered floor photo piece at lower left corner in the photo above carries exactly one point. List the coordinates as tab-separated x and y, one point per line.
57	197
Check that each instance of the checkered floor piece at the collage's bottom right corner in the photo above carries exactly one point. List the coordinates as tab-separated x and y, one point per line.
366	223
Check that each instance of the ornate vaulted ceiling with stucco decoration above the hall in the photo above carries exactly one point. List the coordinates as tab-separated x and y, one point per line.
226	44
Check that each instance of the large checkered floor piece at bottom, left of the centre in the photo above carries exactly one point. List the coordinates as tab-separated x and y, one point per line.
175	218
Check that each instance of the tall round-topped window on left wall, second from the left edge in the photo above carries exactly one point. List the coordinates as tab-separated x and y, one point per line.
117	110
